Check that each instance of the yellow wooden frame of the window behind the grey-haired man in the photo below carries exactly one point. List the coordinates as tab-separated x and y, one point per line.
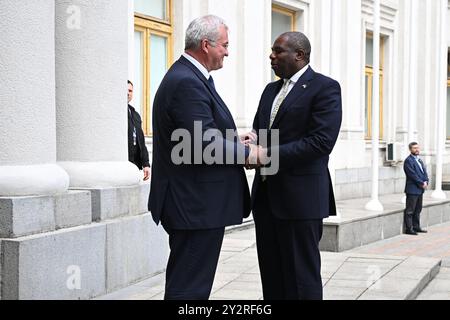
149	25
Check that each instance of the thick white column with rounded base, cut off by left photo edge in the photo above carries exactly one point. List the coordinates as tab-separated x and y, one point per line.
27	100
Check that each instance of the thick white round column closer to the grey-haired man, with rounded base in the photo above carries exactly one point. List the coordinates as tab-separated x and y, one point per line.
91	76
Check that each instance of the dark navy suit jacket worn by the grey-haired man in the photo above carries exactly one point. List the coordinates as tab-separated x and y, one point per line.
194	196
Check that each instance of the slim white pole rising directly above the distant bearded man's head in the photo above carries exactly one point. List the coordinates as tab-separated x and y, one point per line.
413	65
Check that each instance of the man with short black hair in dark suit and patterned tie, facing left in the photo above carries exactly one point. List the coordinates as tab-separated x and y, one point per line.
289	207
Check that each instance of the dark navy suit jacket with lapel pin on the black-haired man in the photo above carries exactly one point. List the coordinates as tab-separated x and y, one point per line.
309	122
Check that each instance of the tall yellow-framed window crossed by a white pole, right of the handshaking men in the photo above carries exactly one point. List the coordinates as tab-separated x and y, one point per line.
369	85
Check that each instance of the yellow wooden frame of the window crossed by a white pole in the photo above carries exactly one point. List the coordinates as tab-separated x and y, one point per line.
368	72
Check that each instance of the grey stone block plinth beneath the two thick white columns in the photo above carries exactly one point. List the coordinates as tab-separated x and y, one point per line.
78	245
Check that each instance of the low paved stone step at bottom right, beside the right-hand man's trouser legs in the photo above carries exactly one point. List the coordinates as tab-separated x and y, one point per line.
371	277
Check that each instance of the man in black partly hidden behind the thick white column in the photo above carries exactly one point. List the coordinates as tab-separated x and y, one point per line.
137	151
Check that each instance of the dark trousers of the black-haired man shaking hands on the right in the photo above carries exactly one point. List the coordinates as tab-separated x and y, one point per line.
288	254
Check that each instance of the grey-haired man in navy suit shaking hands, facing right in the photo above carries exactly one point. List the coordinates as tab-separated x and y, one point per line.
194	200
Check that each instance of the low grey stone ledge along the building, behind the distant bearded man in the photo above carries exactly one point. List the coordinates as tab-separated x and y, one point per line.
356	227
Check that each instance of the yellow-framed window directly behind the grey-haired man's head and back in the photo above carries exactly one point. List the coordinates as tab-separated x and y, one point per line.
152	53
